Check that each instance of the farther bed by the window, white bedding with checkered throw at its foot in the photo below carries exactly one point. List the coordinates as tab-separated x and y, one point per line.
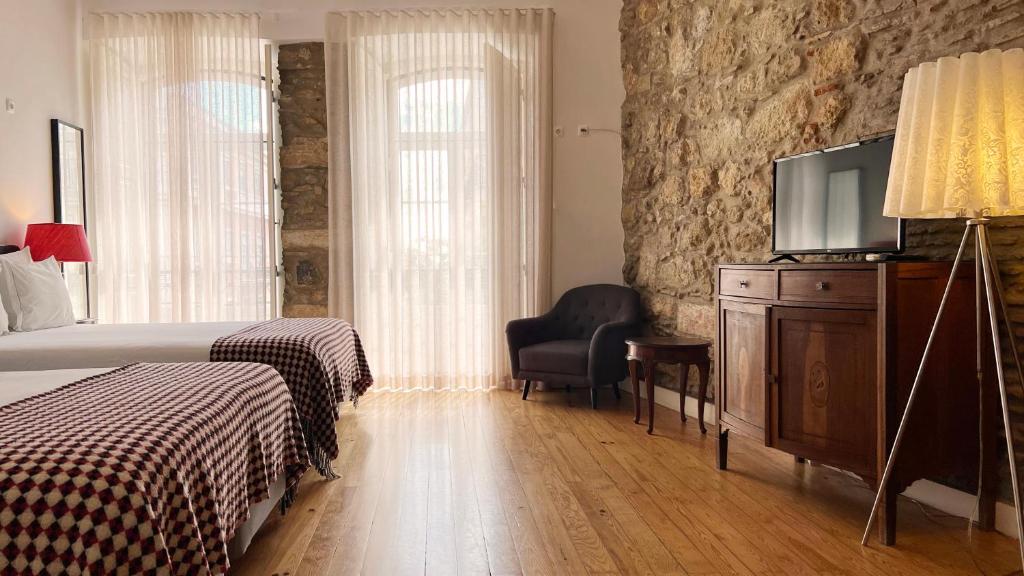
321	359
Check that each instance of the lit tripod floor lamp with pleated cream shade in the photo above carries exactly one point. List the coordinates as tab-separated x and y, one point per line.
960	153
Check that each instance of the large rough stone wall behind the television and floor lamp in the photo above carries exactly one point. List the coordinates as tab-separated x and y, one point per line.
715	90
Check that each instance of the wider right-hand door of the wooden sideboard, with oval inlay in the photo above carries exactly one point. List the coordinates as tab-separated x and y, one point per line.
824	386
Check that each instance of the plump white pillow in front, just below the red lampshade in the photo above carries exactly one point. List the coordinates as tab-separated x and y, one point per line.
41	296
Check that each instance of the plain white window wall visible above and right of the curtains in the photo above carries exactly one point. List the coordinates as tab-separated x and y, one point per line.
588	173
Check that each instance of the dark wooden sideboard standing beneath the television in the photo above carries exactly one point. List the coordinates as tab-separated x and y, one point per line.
818	360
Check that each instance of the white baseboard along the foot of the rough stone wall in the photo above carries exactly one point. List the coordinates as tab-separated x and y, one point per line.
943	499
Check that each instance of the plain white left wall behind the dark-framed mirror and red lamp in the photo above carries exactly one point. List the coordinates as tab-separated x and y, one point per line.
39	70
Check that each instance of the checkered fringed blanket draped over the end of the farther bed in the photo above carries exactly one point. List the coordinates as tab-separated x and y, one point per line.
323	362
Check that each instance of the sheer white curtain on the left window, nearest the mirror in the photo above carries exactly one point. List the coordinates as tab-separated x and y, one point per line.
182	213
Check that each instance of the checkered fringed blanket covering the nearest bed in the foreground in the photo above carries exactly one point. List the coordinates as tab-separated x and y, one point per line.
147	469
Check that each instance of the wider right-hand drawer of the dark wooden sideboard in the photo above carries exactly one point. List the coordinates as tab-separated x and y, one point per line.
843	286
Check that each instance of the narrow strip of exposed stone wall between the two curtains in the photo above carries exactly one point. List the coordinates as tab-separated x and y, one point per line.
303	113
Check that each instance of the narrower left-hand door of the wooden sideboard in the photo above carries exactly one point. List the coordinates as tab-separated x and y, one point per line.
743	362
